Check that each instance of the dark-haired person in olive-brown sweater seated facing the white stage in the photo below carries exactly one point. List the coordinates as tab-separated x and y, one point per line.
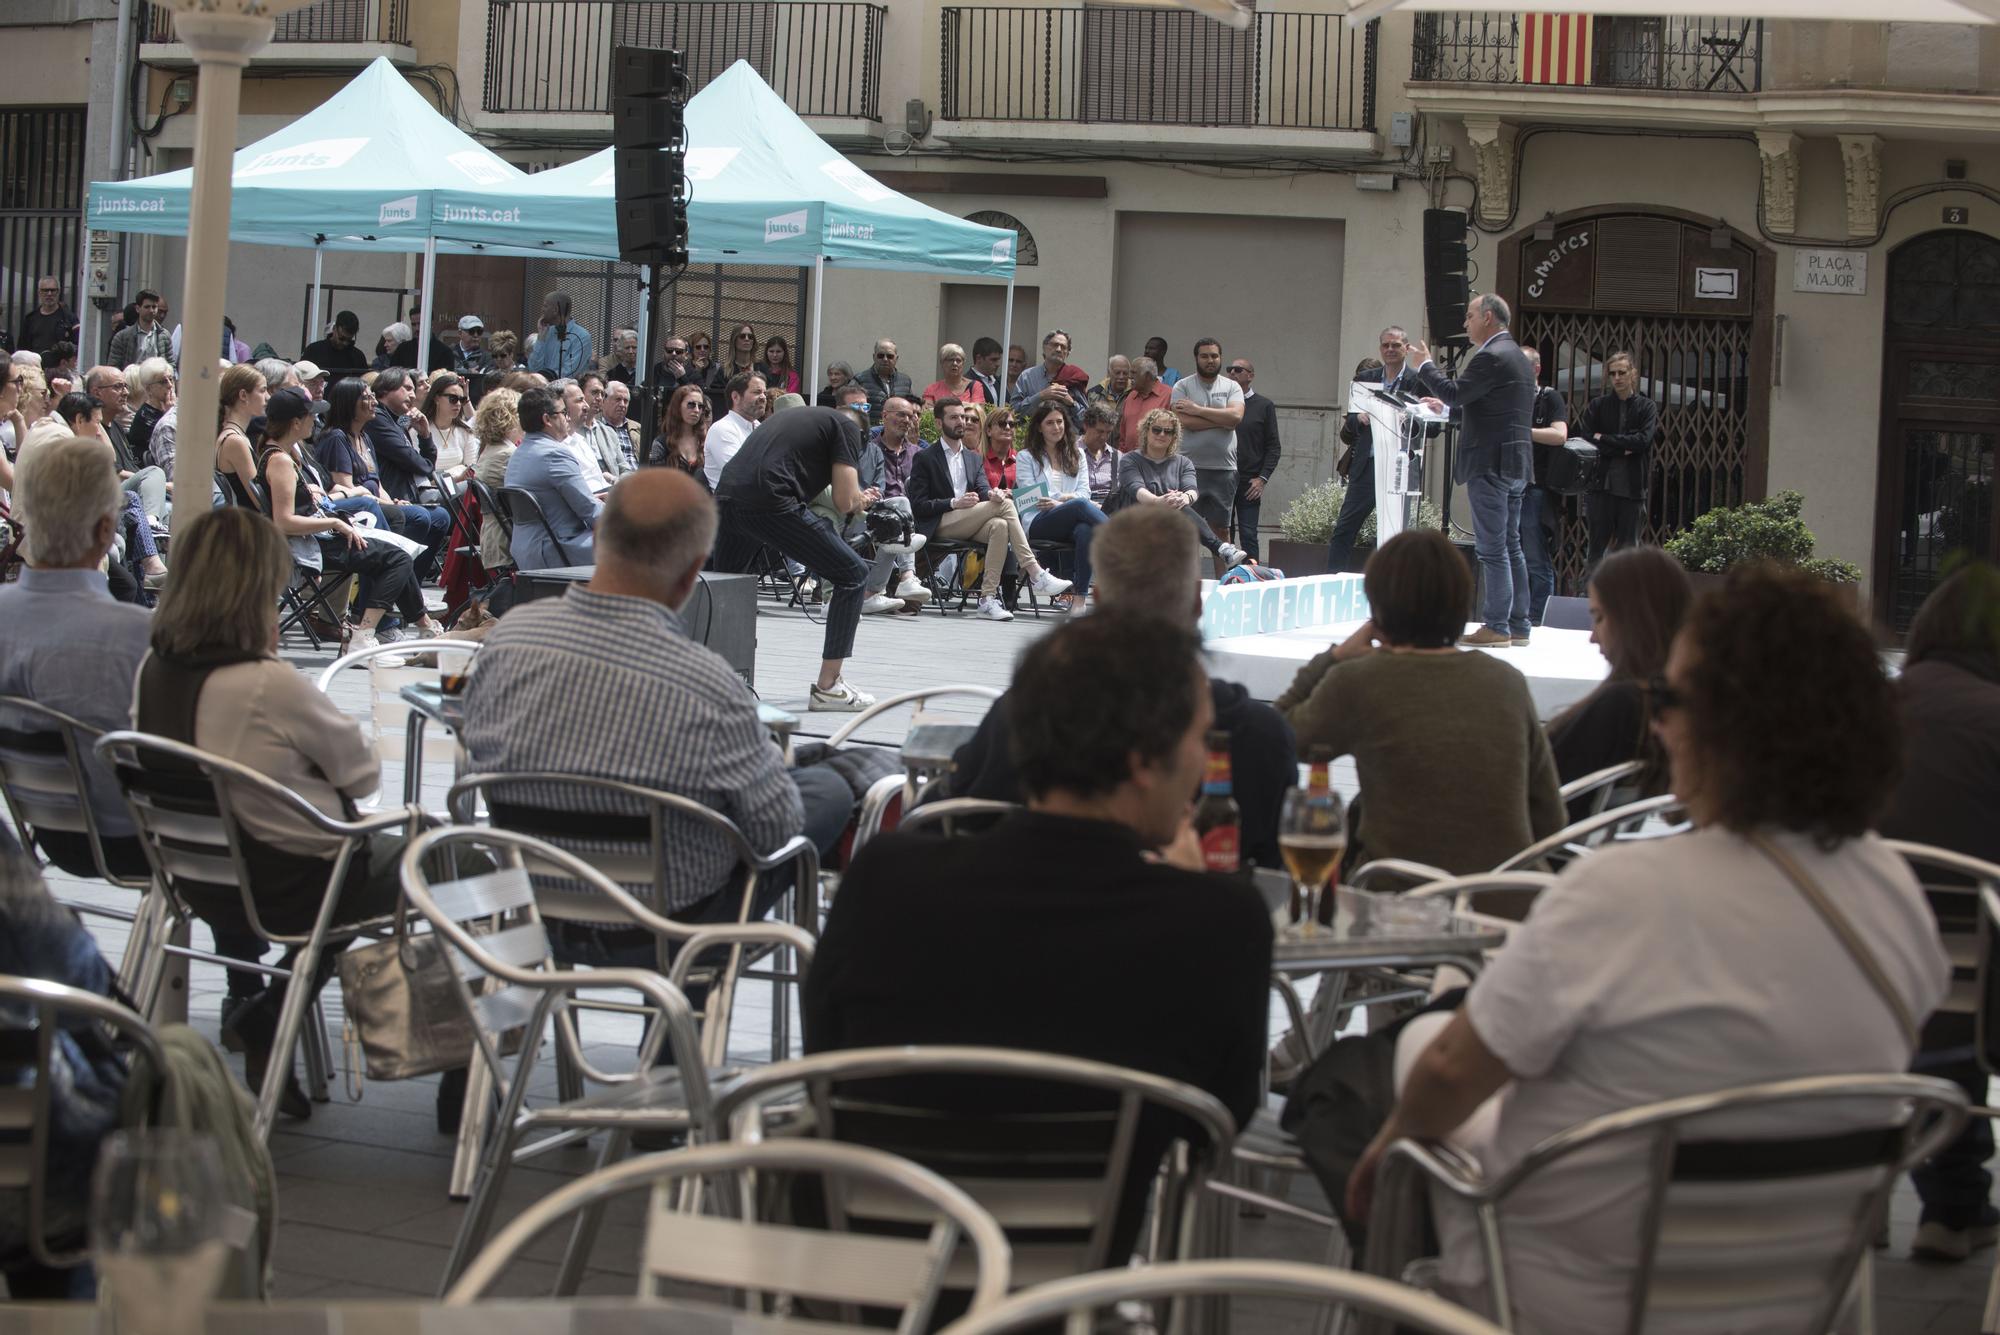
1467	780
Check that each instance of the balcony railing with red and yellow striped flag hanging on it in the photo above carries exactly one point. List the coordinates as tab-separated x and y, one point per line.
1679	55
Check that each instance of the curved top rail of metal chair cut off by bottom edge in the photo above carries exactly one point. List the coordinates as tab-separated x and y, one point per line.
1329	1290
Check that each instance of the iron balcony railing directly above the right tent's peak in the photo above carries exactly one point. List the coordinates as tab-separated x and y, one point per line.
823	57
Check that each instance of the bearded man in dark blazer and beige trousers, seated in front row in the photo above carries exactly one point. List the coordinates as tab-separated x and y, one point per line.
951	499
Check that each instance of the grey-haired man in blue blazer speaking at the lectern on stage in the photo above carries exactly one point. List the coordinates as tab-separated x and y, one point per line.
1495	461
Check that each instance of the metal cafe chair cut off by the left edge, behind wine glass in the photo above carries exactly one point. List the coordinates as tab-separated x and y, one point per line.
33	1014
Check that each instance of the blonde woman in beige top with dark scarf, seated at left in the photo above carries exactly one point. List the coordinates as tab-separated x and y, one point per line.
215	680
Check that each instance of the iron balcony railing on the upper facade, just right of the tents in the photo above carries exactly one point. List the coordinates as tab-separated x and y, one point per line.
1157	67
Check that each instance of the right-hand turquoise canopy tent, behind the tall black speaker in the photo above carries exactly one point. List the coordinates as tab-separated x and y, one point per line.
763	189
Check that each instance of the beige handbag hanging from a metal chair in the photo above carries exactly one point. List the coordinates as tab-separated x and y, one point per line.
405	1006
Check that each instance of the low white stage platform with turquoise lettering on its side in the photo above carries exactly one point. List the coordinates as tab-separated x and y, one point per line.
1261	635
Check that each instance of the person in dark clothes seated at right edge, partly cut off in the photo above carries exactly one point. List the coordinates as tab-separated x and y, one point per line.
1949	692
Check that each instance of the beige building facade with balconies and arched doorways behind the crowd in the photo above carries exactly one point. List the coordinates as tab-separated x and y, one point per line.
1791	225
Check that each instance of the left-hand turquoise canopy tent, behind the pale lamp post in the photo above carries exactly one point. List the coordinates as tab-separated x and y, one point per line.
357	173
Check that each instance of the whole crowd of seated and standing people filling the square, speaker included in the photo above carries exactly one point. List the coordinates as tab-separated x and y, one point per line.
1673	966
